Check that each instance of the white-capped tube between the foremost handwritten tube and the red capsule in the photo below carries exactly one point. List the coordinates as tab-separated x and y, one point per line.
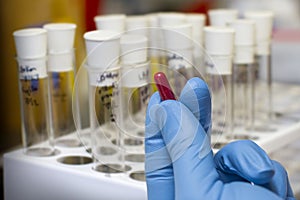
135	90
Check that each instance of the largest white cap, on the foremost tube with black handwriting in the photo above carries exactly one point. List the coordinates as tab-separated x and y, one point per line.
103	48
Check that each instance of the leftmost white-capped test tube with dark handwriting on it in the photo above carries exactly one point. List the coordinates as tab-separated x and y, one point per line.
31	48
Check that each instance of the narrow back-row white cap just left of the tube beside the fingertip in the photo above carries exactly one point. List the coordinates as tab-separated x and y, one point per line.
198	22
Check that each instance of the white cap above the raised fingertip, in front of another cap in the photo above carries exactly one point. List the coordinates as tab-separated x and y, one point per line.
178	37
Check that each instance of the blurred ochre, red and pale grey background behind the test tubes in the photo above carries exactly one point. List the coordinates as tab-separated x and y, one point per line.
17	14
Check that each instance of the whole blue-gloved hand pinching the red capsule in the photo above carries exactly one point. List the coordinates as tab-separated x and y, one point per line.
180	163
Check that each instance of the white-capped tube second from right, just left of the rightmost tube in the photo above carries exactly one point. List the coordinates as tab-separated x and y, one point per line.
243	72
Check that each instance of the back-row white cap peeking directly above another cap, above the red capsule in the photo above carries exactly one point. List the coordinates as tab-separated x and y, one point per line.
171	19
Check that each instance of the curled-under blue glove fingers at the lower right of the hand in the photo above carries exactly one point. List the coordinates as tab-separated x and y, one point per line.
245	159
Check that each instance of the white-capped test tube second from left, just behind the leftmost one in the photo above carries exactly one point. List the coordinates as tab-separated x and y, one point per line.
61	79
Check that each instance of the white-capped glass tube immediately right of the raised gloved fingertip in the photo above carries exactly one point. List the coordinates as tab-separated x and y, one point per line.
219	47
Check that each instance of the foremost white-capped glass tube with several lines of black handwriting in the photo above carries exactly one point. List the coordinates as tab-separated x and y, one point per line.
102	64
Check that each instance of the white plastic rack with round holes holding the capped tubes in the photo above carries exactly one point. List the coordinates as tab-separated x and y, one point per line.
57	177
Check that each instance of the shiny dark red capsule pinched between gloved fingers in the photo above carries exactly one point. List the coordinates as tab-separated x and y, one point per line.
163	86
